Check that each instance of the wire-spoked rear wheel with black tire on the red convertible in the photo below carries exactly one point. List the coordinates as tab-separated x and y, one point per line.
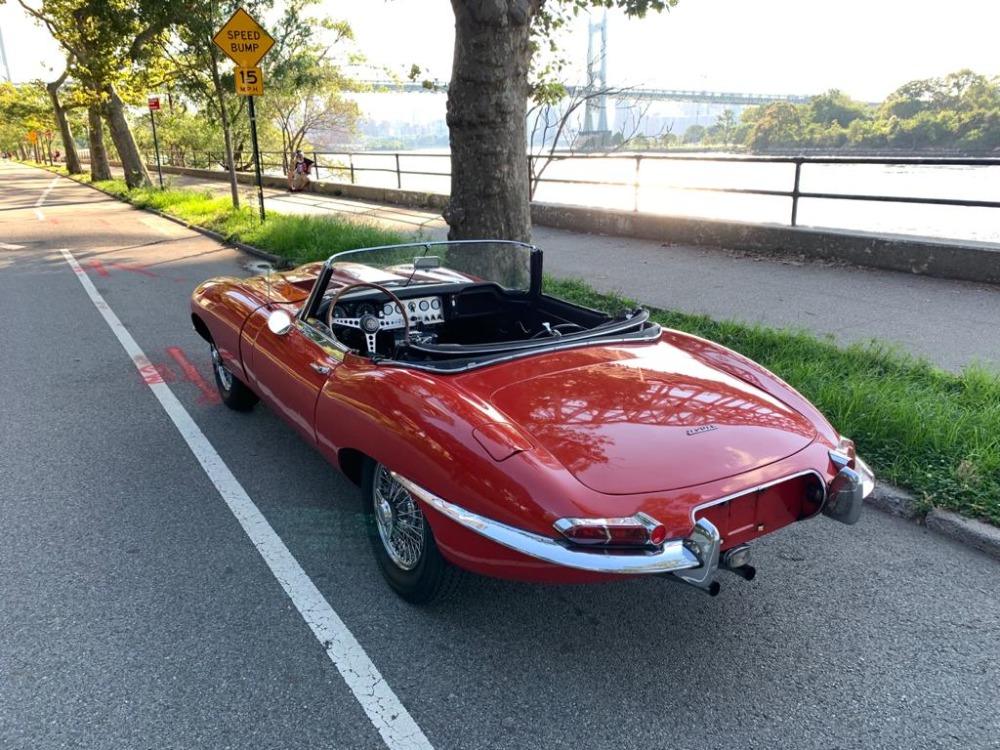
402	540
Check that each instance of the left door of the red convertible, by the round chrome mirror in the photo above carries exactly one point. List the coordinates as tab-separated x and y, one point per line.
288	370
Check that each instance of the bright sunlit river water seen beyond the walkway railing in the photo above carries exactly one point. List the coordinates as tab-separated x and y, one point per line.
676	187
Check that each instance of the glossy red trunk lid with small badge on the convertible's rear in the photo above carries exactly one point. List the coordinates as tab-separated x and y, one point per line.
653	424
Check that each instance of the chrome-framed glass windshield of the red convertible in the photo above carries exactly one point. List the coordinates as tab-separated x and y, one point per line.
505	263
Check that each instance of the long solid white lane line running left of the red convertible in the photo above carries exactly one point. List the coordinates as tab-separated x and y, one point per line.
380	703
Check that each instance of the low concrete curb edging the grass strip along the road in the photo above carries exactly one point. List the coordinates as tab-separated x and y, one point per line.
885	497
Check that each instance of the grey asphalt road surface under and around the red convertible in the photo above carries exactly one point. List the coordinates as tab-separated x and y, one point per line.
135	612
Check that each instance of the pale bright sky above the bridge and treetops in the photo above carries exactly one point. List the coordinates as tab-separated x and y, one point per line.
865	48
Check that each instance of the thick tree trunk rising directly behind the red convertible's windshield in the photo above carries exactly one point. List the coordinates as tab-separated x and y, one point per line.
487	111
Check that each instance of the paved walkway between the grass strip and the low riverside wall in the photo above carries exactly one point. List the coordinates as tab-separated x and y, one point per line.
951	323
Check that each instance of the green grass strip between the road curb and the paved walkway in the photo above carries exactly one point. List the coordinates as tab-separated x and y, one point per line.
933	433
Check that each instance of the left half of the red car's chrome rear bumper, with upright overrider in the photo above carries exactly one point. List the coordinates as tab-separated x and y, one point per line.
676	554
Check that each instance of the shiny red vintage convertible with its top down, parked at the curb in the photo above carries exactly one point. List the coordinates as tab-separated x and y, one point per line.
498	429
